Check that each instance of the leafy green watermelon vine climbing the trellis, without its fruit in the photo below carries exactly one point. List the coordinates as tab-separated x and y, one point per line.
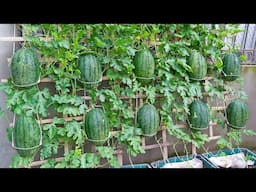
59	47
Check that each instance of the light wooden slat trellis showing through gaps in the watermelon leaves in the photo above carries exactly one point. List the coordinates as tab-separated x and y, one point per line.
139	99
